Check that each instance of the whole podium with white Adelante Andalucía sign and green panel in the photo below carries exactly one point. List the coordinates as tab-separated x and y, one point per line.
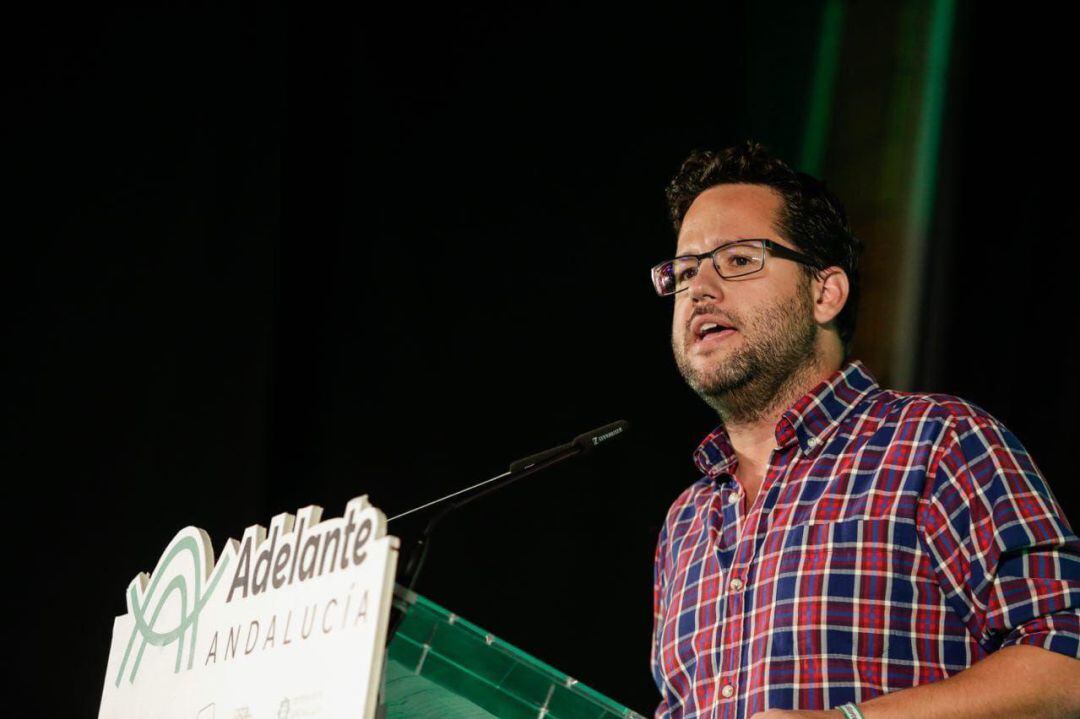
292	622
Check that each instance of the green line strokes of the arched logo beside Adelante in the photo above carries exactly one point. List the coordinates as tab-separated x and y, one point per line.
188	592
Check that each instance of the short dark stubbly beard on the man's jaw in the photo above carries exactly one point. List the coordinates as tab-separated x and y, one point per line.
778	352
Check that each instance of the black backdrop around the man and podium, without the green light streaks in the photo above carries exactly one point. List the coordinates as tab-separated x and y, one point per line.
263	259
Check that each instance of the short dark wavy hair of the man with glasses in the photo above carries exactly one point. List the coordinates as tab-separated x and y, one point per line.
813	218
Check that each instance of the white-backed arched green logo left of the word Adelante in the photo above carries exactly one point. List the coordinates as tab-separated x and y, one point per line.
167	607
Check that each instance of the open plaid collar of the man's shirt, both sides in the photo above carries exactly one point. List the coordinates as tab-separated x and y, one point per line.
809	422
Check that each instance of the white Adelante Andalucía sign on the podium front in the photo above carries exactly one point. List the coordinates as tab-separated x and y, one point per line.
288	623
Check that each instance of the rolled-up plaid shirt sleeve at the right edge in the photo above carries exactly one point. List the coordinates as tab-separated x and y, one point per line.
1005	555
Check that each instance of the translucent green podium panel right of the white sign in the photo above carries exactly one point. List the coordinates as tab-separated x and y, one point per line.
441	667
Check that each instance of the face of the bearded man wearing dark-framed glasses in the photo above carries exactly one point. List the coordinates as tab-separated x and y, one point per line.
768	316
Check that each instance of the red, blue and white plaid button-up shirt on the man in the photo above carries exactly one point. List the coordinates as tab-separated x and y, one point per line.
897	539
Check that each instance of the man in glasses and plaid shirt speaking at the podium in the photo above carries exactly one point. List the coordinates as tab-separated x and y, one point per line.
850	551
